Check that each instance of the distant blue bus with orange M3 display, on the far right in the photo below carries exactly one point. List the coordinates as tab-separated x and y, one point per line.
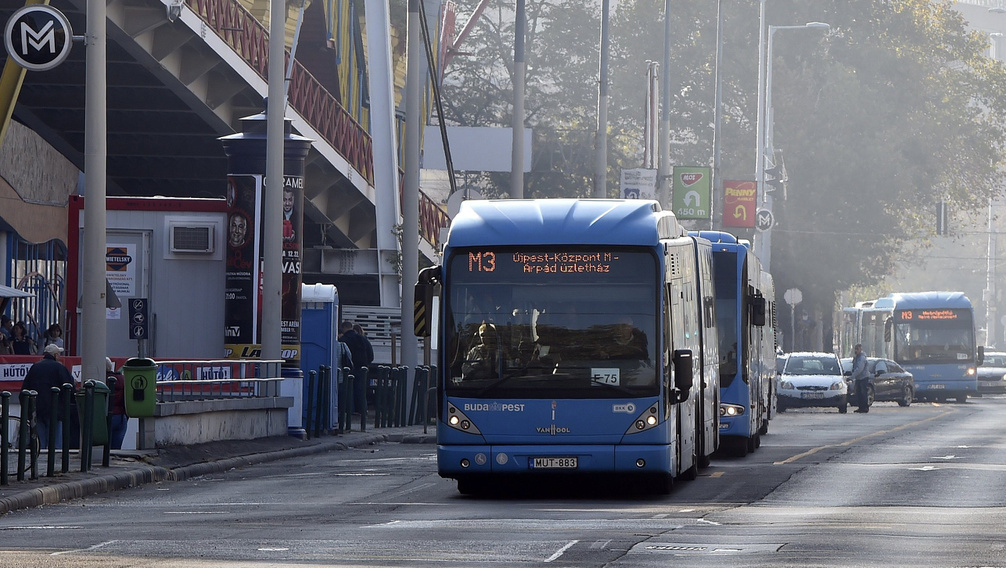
931	334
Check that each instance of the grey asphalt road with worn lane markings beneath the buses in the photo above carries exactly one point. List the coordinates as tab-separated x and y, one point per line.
922	486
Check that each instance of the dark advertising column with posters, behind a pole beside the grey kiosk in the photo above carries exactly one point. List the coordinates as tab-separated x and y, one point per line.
246	187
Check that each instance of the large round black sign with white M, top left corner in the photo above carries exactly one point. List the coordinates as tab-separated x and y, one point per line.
39	38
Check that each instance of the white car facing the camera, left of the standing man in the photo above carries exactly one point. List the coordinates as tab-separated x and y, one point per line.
812	380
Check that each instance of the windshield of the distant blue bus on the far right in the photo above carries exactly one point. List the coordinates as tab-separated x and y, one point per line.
946	340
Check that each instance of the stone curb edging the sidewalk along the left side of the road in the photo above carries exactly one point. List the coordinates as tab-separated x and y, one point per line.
59	493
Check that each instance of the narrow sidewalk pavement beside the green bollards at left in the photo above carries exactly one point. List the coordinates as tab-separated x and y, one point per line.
129	469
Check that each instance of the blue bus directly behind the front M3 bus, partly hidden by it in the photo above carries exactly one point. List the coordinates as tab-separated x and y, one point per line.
745	296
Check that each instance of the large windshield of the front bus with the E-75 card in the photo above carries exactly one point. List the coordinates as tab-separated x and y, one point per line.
543	323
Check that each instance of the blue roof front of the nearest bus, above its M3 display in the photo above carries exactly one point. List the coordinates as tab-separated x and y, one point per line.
483	223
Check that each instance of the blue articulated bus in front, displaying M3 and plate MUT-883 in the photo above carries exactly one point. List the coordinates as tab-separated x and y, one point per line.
571	342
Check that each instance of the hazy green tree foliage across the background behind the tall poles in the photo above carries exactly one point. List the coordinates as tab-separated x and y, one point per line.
895	109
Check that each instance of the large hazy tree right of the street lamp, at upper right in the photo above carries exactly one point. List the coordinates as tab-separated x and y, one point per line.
899	110
